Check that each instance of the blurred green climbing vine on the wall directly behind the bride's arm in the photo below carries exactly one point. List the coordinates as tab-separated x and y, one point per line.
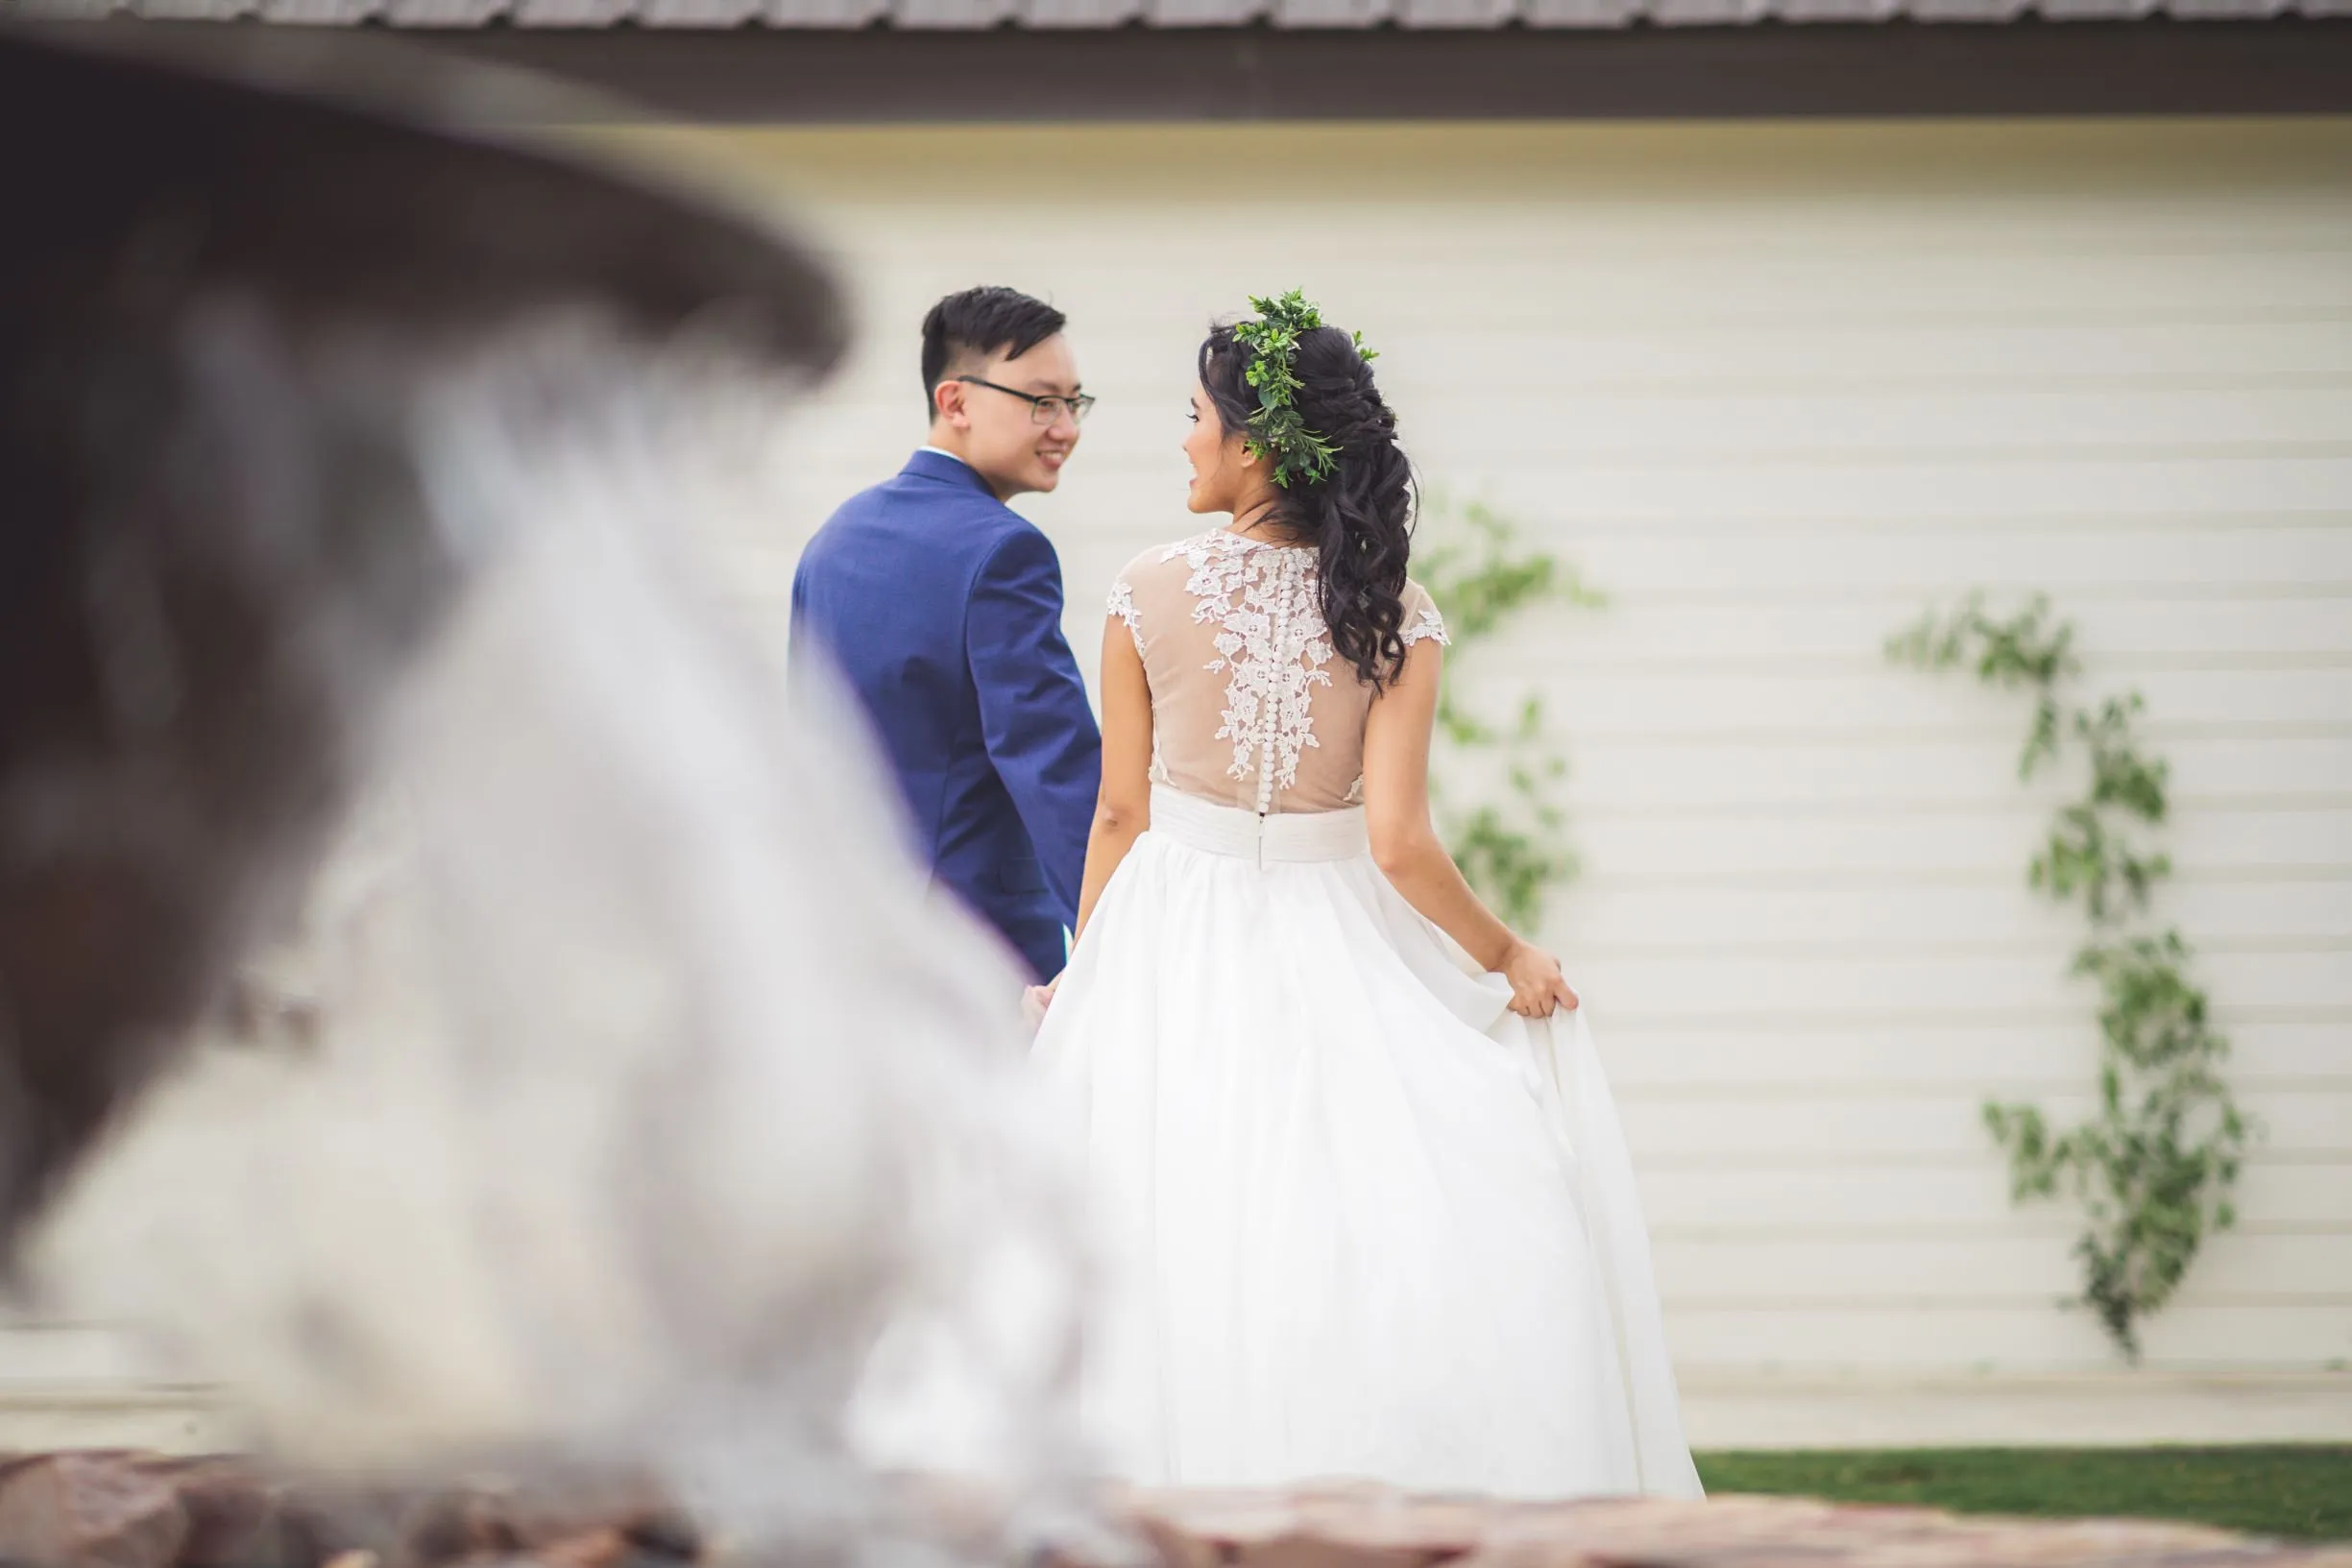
1511	843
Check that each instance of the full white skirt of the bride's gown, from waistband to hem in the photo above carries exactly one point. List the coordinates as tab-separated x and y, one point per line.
1365	1219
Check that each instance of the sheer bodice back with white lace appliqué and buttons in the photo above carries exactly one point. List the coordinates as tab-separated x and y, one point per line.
1250	704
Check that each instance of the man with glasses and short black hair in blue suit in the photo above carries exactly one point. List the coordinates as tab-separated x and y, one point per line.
942	605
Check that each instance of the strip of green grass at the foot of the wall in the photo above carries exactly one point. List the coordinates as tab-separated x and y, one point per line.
2297	1494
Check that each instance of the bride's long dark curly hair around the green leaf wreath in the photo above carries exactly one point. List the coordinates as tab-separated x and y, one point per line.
1361	516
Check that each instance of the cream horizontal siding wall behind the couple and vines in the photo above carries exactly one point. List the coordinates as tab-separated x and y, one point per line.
1777	389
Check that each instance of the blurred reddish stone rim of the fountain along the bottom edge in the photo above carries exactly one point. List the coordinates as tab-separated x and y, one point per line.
152	1513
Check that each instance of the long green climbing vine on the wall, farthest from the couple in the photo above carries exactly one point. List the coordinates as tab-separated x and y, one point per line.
2153	1167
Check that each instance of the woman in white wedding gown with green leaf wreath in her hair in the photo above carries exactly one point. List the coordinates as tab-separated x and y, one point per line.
1349	1127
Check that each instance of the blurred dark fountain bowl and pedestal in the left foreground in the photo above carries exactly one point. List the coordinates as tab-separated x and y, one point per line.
220	302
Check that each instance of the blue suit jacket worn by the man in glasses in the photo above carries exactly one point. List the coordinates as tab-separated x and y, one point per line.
942	605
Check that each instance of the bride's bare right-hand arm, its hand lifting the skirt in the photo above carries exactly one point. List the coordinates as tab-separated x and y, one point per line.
1408	847
